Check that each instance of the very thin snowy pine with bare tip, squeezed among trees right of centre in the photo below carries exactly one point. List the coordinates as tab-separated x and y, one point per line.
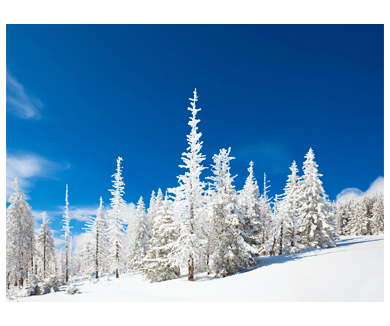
265	214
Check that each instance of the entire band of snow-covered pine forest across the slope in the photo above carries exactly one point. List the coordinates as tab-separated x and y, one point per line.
200	225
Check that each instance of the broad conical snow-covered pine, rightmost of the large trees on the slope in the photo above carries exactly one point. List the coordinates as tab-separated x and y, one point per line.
315	221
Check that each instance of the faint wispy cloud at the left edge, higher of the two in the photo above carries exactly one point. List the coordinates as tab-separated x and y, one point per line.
20	102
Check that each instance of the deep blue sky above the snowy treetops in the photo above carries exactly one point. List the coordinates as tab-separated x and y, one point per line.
268	91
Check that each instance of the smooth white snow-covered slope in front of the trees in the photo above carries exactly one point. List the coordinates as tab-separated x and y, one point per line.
353	271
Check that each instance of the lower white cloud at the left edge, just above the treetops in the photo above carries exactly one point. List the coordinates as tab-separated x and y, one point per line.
26	167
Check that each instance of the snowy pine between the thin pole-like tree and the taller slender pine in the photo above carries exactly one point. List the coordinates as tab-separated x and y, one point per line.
97	228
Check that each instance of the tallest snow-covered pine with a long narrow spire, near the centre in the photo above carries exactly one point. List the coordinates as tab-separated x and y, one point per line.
188	205
